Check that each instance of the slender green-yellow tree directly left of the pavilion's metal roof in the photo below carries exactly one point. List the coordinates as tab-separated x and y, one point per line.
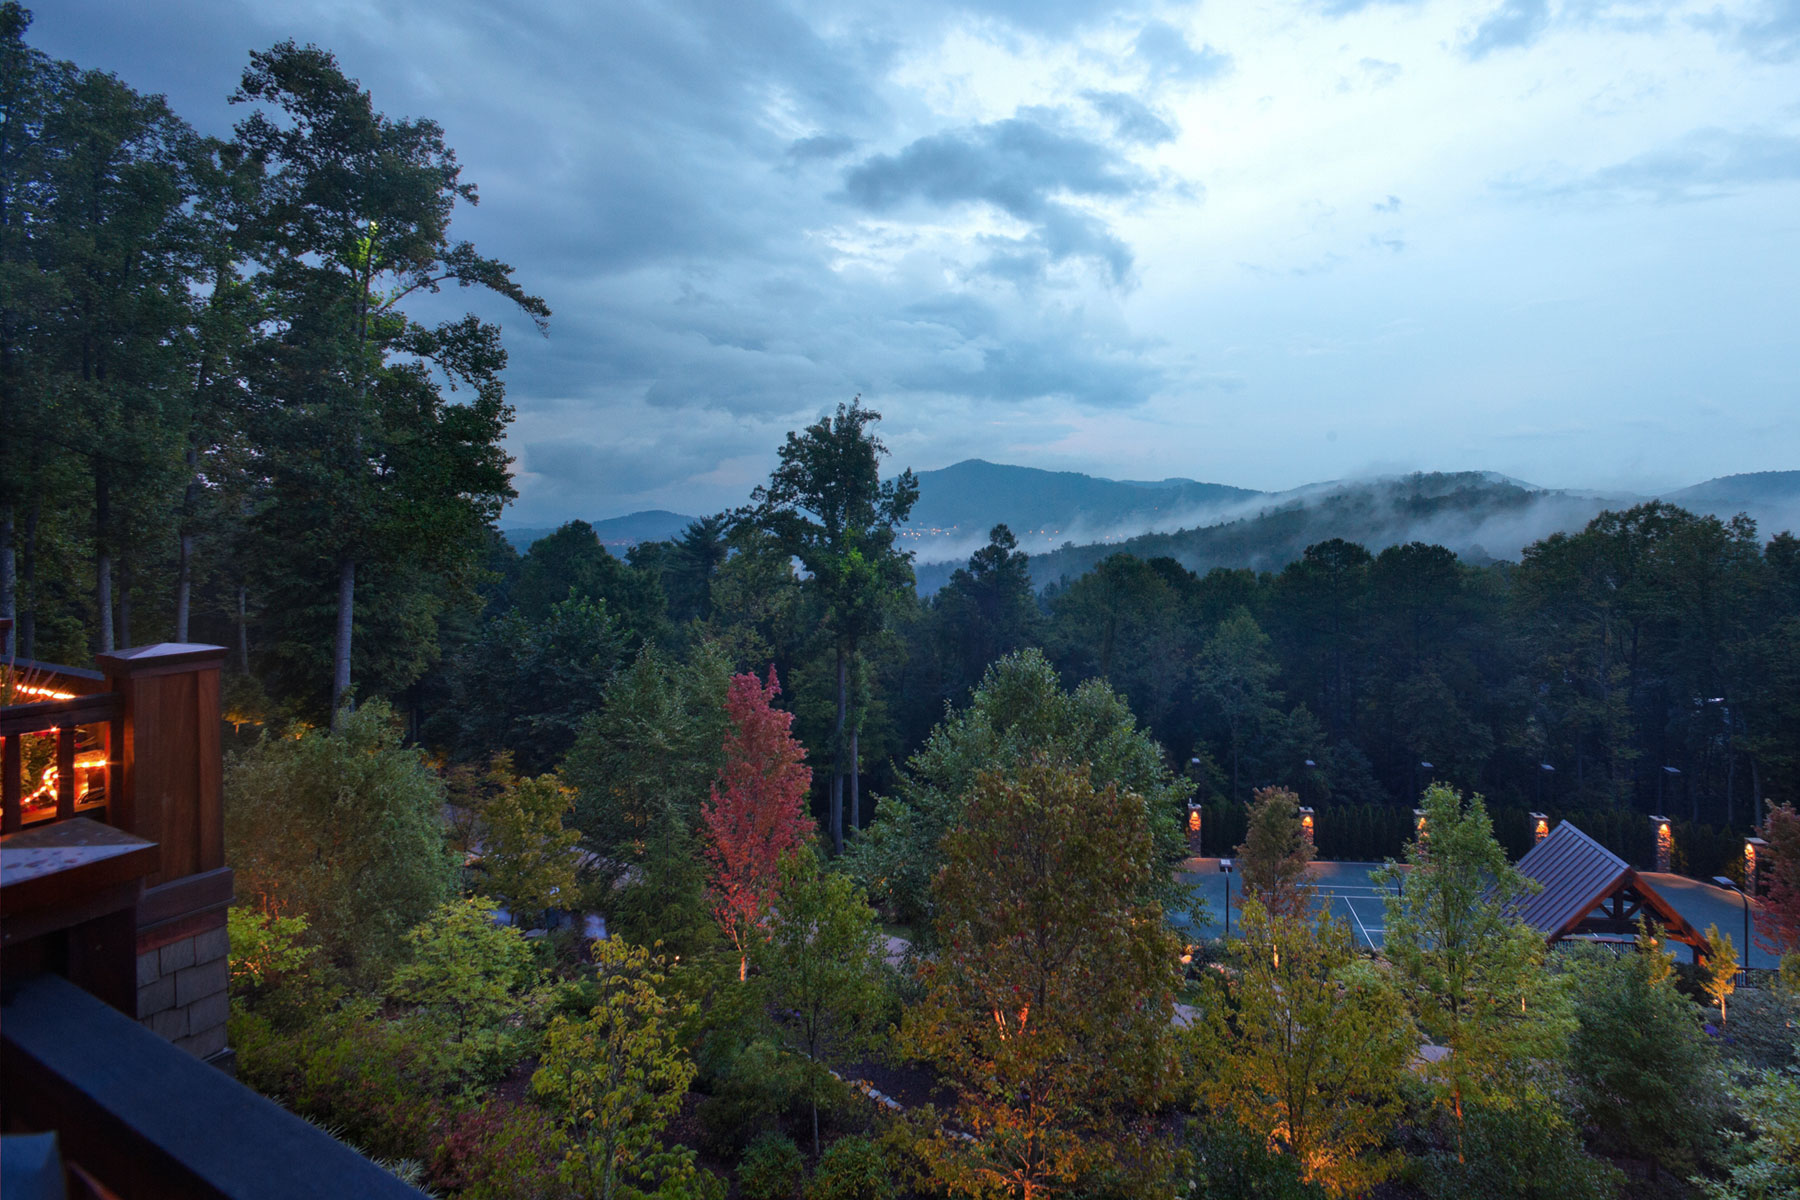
1471	972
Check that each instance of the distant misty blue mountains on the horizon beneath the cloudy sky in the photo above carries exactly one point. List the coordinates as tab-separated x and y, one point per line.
1070	523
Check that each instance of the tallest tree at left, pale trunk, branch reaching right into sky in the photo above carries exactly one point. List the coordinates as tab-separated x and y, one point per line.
372	469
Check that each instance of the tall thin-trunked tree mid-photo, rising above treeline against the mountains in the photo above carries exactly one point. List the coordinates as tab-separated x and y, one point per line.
827	506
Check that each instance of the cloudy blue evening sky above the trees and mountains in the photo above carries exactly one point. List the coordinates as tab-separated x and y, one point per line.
1250	244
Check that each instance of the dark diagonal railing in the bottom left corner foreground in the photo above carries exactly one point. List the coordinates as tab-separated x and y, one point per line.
148	1120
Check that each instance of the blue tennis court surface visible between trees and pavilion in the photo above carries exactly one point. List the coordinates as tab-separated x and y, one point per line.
1345	888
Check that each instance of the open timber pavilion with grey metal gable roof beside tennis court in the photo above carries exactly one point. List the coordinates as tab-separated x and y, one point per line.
1588	891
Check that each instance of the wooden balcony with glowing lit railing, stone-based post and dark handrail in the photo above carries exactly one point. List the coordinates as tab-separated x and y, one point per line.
114	891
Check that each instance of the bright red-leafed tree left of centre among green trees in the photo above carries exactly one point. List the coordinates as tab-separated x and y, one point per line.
757	814
